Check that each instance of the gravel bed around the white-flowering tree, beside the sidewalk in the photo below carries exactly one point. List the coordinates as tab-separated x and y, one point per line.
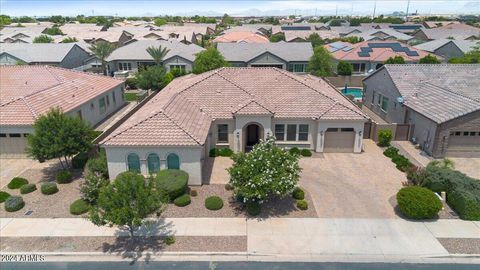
276	208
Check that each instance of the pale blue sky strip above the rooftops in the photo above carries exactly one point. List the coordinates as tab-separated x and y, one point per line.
258	7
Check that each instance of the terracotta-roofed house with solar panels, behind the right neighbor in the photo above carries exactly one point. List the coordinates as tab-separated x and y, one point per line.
368	56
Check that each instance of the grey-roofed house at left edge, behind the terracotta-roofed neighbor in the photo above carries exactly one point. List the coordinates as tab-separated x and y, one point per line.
66	55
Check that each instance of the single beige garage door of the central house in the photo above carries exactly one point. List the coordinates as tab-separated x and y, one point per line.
339	140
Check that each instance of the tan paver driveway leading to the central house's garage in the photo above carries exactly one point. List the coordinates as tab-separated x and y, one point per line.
347	185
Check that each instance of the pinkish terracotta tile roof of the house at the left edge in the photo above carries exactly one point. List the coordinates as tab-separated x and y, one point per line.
29	91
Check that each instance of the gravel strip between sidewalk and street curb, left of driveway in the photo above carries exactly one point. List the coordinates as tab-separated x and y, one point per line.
119	245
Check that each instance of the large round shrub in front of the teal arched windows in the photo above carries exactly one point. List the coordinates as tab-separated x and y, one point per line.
174	182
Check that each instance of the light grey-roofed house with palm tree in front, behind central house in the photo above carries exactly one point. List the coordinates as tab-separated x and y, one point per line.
133	55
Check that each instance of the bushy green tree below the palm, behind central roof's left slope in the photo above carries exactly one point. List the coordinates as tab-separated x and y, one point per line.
153	77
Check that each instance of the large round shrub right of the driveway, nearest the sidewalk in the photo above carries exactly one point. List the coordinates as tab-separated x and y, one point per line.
418	203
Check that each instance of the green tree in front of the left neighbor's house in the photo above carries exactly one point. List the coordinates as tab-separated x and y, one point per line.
57	135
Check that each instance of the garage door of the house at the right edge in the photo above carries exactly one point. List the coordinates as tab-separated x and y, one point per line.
464	144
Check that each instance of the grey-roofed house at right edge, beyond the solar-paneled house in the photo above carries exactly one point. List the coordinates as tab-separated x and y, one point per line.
448	48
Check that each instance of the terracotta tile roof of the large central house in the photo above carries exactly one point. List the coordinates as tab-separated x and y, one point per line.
181	114
